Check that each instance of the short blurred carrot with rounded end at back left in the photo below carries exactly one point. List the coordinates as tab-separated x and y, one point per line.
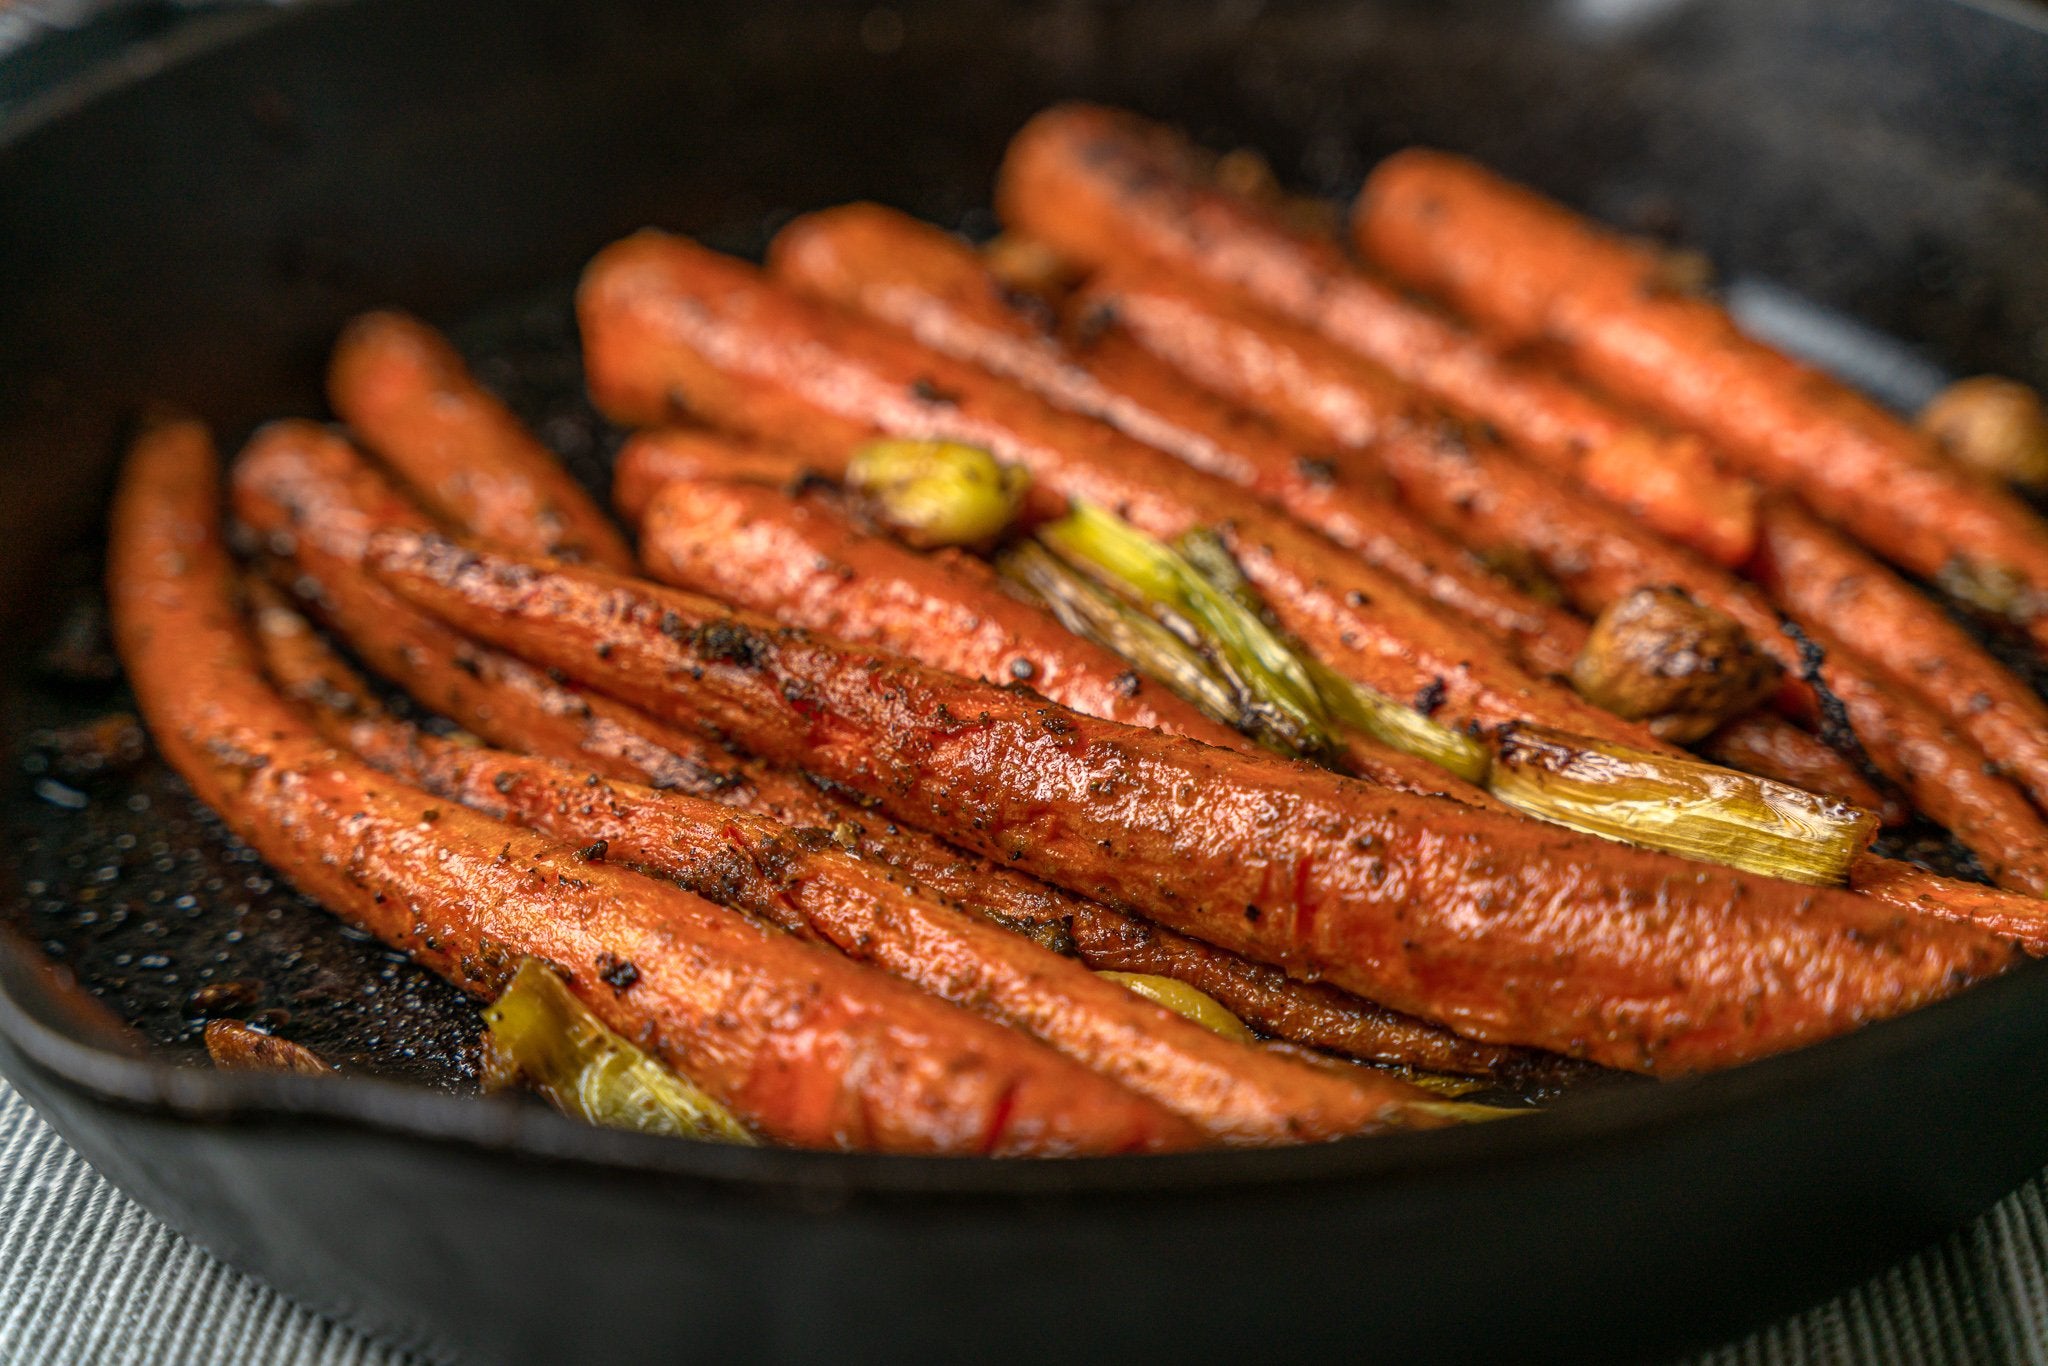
413	400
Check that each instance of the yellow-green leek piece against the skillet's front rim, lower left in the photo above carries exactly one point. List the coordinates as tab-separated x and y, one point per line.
540	1035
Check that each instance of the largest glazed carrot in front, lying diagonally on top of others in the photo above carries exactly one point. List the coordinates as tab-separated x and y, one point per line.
1510	931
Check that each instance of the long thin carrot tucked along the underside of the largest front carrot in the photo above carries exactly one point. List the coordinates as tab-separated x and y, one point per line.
335	501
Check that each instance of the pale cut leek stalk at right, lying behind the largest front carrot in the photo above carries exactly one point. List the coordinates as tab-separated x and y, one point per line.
1680	806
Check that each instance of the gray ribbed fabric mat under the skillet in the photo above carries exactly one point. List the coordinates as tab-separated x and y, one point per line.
91	1279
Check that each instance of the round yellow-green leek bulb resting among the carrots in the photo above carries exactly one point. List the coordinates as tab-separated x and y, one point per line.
937	493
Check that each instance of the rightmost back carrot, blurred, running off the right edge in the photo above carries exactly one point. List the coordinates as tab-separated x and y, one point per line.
1537	271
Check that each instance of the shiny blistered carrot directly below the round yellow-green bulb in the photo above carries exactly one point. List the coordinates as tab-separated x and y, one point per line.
798	560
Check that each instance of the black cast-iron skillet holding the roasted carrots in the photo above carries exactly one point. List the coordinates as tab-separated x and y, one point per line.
191	222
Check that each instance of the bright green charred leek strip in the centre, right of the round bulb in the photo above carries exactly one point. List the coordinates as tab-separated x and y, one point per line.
1277	683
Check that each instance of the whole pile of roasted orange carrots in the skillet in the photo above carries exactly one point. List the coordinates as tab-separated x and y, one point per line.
876	849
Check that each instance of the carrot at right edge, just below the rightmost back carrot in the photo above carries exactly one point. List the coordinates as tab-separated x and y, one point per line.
1822	579
